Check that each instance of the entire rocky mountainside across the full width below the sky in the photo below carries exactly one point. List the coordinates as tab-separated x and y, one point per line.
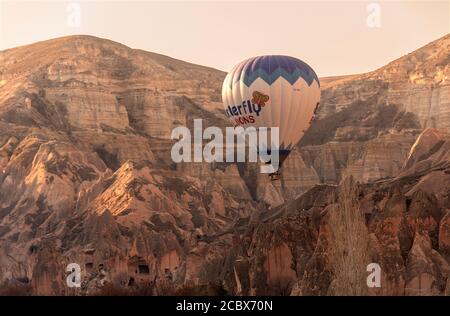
86	176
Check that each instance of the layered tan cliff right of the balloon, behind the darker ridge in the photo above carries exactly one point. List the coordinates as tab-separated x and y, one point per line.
378	115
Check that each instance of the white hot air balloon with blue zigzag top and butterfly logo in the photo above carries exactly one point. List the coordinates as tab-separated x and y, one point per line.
273	91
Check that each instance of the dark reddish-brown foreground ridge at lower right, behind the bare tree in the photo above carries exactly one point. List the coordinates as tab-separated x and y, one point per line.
404	226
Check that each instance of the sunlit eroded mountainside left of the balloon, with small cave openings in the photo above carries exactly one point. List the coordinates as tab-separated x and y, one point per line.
85	177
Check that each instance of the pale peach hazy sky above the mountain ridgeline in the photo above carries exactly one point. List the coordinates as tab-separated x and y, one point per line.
334	37
